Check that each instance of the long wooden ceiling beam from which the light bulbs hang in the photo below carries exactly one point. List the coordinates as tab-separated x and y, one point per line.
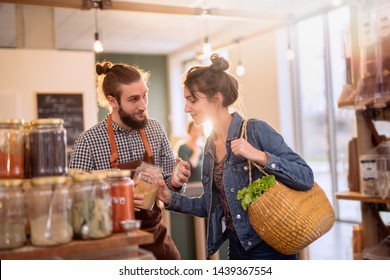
155	8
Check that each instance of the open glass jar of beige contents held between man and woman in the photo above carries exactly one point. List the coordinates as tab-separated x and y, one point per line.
147	176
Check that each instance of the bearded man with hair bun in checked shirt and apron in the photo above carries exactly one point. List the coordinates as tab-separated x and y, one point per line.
125	138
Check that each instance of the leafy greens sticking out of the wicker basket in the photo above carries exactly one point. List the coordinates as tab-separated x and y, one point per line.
249	194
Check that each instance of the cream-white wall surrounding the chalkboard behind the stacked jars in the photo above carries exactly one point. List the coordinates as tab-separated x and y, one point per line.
25	72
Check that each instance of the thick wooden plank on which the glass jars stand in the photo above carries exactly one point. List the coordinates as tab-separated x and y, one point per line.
75	247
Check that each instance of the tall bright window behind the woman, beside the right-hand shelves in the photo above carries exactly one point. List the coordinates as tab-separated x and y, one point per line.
325	128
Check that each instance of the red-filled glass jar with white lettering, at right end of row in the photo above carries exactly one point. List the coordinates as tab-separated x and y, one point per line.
122	197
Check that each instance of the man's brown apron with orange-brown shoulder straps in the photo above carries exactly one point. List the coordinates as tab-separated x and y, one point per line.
163	247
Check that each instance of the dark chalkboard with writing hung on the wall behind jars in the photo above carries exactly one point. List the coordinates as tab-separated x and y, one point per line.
67	106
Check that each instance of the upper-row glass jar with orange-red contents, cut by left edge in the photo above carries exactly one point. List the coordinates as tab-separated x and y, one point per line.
11	148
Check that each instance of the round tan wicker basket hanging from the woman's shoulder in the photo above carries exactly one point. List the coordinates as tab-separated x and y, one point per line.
290	220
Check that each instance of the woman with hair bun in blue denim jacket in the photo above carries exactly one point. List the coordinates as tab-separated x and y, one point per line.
209	91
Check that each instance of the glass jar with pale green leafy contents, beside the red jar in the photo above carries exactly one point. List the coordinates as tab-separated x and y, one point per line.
91	206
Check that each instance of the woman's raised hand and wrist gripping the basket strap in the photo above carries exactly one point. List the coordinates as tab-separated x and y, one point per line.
241	147
